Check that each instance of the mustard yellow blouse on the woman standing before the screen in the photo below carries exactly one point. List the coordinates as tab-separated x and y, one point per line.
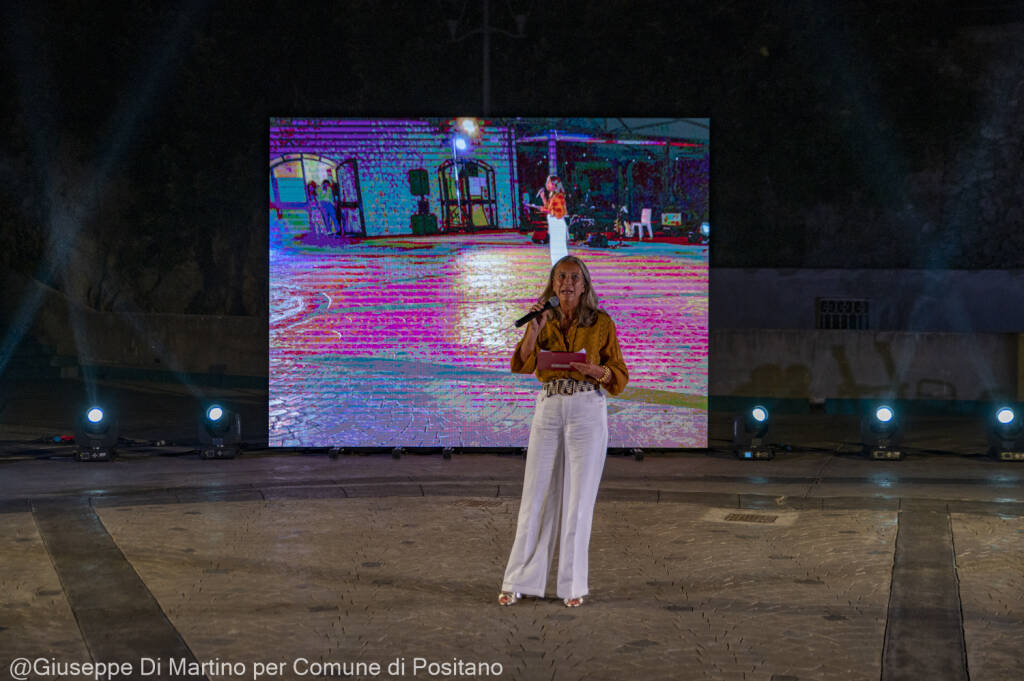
599	342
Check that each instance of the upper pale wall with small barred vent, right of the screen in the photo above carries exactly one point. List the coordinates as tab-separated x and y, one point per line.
943	301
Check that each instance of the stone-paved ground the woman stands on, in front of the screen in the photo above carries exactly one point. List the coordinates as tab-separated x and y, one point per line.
817	566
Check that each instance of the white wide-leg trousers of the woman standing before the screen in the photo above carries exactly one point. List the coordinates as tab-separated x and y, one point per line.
568	447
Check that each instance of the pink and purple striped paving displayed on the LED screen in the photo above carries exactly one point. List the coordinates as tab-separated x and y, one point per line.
408	340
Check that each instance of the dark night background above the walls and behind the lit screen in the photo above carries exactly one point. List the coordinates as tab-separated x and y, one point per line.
859	136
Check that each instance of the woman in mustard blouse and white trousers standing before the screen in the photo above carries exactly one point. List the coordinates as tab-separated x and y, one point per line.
569	439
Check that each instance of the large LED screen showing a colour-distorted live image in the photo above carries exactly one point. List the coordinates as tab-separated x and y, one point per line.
403	252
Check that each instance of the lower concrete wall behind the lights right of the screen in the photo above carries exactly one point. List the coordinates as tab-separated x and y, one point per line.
830	365
